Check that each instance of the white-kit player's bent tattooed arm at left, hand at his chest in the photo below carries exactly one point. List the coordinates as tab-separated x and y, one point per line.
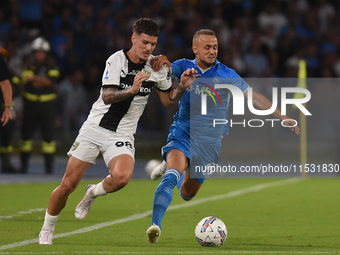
113	95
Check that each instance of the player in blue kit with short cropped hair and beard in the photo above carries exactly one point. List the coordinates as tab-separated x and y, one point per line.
188	145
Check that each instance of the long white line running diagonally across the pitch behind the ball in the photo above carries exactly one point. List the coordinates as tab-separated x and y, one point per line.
149	213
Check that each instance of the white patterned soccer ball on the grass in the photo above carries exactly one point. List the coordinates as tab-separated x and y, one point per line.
211	231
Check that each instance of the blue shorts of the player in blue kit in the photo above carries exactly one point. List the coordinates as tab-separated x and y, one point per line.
201	155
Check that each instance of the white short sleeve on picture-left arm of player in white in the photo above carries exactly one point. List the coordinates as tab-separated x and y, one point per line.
113	68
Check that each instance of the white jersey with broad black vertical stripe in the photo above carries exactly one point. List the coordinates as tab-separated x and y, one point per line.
120	71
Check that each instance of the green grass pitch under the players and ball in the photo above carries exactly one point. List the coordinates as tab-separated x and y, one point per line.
301	217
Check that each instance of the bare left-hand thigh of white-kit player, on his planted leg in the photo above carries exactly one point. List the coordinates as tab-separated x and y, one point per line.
74	173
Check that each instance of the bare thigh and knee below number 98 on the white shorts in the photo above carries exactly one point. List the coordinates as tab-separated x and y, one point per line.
121	168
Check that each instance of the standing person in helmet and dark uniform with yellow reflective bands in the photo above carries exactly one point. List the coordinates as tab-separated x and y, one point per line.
39	93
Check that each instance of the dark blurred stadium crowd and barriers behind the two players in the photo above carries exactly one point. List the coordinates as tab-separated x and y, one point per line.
259	39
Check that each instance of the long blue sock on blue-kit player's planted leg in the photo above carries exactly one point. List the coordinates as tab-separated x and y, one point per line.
163	195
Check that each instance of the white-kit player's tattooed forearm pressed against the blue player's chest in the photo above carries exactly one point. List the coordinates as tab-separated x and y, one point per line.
171	98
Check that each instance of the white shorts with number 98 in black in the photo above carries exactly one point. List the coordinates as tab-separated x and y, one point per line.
93	139
